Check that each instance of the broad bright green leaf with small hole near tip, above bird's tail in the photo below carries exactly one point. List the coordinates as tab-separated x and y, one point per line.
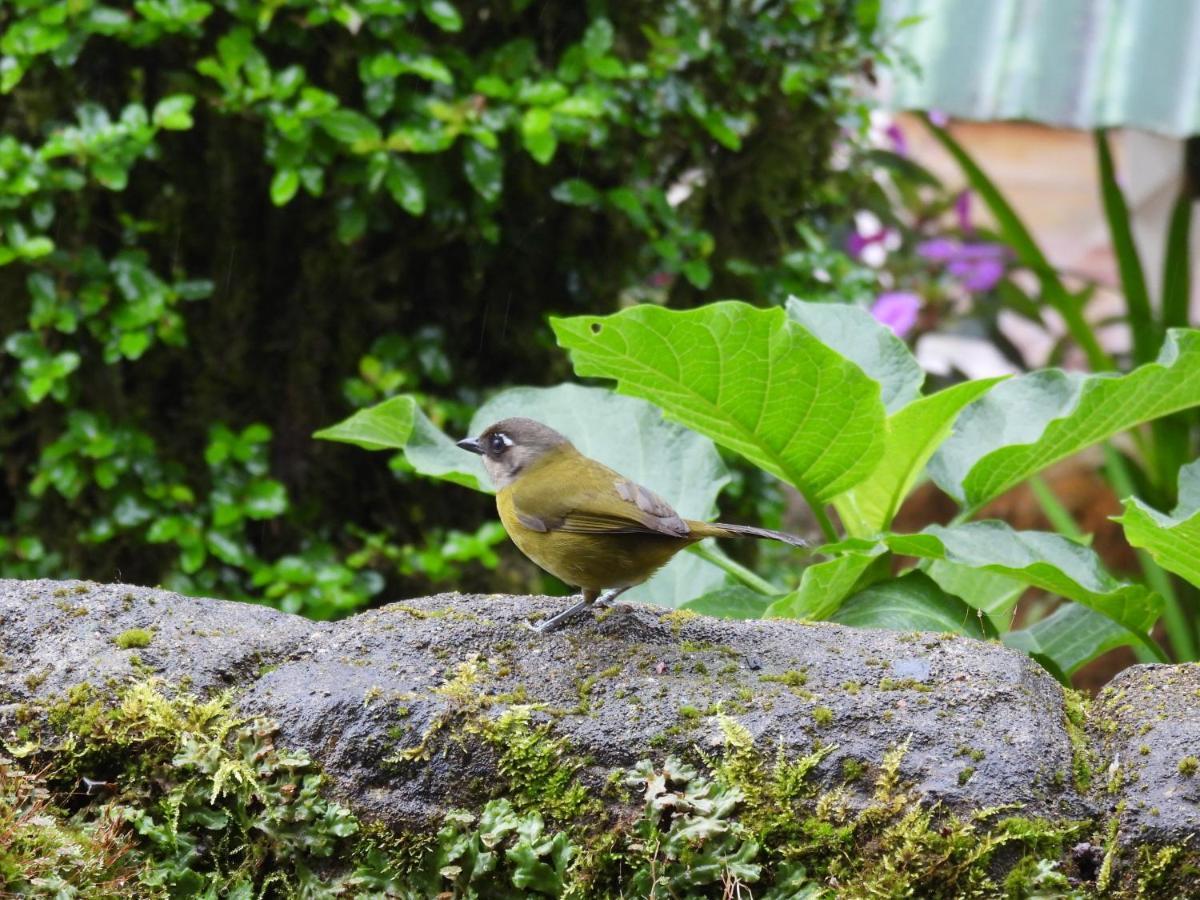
752	380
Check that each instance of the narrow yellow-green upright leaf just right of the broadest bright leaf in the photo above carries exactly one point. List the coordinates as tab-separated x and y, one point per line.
914	435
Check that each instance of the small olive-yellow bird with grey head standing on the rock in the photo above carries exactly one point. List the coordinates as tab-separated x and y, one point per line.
580	520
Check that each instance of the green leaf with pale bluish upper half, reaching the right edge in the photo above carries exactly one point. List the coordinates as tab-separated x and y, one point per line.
1029	423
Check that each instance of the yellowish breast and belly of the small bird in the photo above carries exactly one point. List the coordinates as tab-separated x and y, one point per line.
593	562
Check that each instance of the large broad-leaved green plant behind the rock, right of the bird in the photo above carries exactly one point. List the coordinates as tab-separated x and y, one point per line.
649	351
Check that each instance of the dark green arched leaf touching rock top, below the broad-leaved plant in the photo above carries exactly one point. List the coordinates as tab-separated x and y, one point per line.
913	603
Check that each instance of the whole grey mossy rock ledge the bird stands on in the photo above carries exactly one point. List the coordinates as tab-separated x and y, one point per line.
442	737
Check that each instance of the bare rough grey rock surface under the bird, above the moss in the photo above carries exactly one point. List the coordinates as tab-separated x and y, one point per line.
986	727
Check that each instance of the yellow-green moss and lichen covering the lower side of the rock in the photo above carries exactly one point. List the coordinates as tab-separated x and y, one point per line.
158	794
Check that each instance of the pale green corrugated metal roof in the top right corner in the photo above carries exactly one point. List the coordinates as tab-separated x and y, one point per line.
1072	63
